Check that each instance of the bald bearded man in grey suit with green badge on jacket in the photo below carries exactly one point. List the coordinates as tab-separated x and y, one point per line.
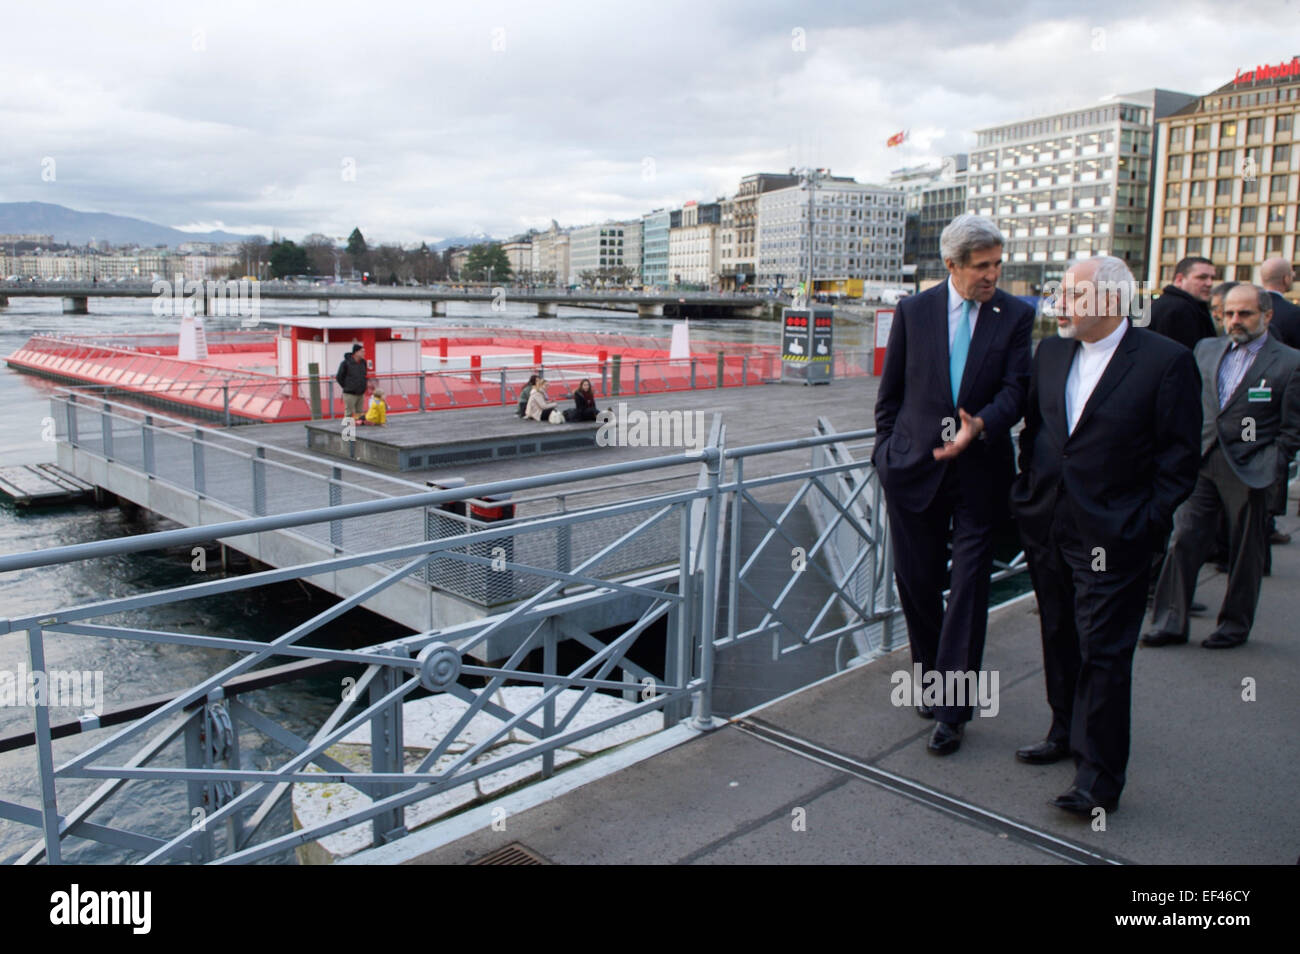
1251	405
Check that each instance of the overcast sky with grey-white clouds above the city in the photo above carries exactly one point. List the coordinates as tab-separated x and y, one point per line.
419	122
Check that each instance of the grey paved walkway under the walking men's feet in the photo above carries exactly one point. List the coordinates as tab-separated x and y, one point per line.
835	774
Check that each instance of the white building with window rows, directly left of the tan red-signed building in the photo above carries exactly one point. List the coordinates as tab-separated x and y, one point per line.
1072	185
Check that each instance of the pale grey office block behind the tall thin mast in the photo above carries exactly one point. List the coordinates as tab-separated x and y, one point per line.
859	233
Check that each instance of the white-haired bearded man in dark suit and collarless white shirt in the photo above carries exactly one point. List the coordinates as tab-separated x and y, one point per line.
1110	450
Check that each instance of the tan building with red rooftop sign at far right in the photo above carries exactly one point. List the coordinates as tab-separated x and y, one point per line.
1228	187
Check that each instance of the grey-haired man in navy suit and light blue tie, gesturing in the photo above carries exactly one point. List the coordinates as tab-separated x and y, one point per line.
954	387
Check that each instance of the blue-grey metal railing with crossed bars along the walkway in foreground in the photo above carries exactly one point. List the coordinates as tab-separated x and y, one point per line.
223	814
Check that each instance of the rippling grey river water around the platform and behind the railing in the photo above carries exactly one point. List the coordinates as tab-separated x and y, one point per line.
133	670
